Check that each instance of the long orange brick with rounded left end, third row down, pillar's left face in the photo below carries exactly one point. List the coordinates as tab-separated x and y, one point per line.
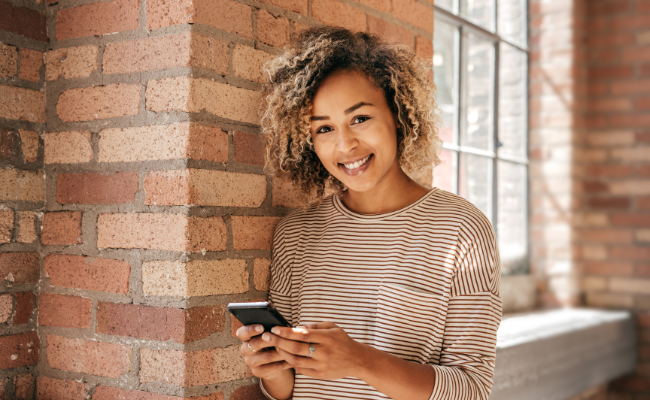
99	102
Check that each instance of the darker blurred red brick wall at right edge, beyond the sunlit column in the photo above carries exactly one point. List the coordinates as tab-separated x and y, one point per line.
616	178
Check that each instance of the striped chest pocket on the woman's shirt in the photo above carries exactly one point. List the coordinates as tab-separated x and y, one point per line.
409	324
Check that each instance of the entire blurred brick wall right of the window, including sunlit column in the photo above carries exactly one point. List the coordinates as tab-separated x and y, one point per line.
590	180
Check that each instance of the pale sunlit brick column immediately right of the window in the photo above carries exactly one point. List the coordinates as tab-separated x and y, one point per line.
557	90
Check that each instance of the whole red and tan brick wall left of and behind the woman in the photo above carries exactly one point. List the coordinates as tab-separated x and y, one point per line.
155	211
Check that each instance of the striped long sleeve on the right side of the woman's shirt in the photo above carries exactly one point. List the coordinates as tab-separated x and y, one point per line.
468	354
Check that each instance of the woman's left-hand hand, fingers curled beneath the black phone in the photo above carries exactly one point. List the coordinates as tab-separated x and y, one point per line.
264	364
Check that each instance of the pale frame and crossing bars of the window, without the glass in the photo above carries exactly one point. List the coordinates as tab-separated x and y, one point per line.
463	25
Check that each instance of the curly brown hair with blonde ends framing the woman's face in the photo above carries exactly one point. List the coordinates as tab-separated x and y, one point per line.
294	77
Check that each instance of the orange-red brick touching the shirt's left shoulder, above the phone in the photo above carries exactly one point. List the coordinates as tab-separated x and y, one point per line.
253	232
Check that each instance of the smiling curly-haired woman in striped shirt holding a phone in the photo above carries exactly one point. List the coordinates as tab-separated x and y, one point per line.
395	288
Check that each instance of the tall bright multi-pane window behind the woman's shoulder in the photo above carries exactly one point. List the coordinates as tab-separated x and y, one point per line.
480	68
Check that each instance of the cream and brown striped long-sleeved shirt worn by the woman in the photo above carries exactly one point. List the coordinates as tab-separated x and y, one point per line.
421	283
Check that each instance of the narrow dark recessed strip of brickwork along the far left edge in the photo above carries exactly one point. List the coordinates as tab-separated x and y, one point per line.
23	40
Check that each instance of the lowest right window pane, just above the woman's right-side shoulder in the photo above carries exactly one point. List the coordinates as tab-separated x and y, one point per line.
512	220
